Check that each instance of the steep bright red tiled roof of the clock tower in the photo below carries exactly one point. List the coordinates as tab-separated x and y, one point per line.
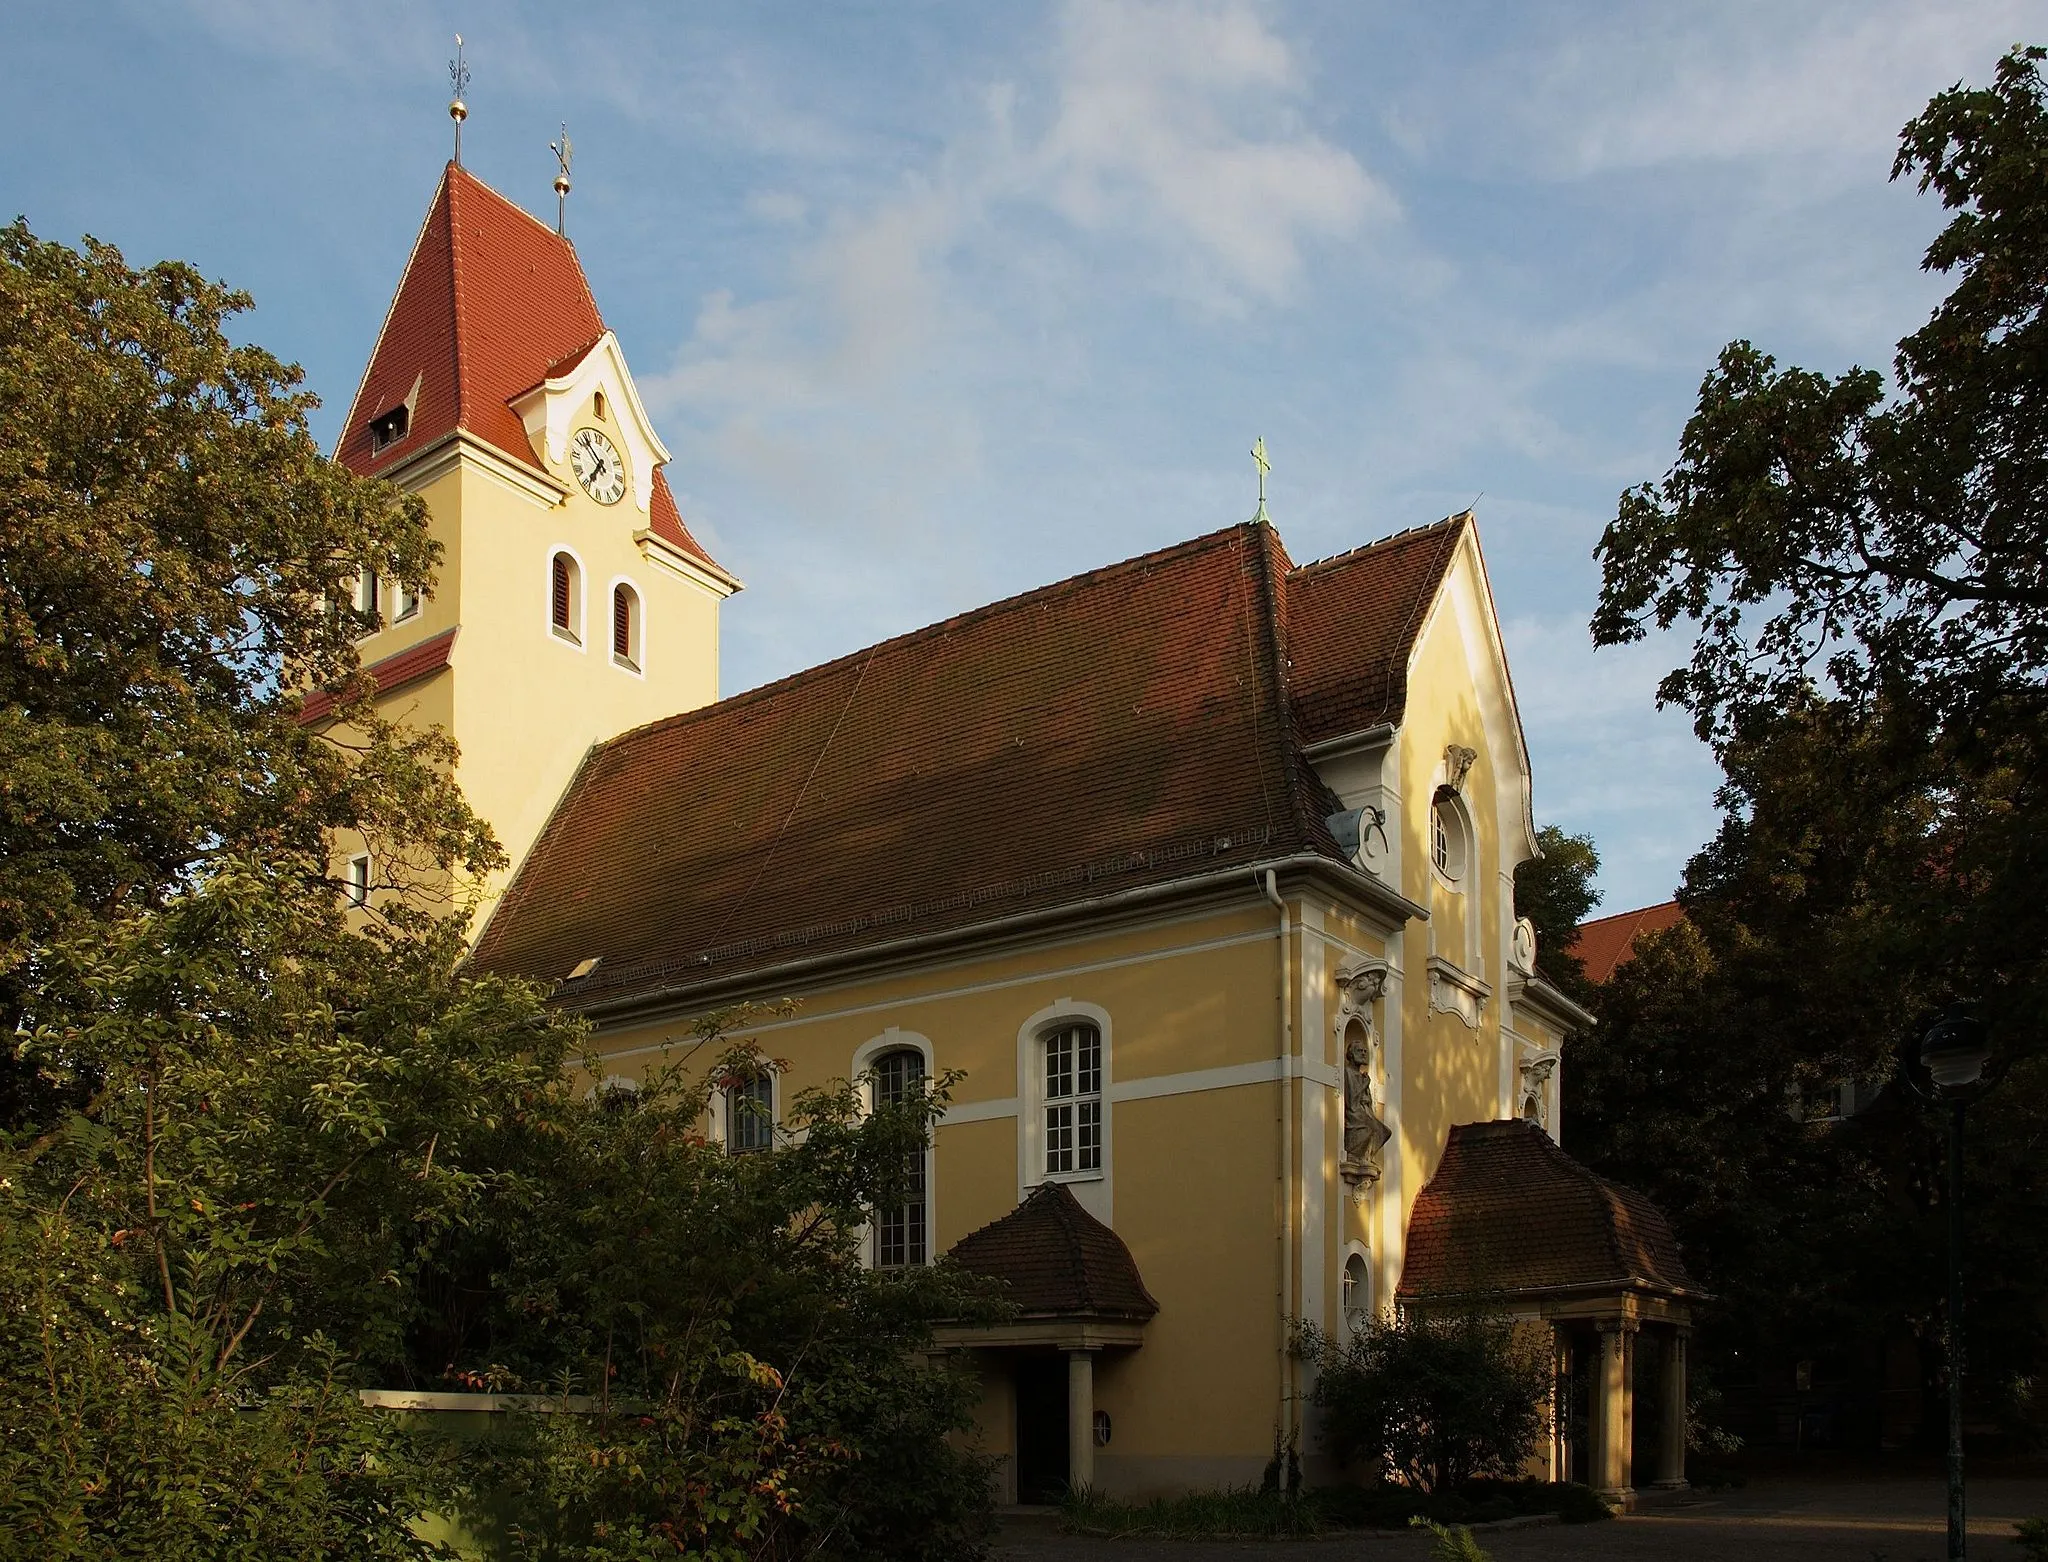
493	304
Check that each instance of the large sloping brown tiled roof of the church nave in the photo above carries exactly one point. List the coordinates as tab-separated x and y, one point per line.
1119	730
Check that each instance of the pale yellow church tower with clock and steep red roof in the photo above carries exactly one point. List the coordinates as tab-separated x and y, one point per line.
572	601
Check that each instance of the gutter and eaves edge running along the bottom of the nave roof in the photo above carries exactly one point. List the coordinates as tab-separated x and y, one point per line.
1345	879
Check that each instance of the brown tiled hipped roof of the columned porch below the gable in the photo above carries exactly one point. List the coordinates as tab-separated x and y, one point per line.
1510	1215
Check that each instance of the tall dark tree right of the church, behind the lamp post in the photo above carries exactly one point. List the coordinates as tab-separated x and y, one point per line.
1861	562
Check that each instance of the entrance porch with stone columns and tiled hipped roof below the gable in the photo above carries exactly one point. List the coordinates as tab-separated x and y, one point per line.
1514	1225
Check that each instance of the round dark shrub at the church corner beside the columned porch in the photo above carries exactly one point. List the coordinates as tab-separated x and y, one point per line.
1431	1401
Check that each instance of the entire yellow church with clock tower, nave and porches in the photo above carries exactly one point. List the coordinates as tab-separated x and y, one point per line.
1199	867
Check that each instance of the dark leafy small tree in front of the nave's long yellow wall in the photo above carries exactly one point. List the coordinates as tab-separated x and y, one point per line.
714	1313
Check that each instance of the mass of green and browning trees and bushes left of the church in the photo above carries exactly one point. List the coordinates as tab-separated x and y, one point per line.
259	1152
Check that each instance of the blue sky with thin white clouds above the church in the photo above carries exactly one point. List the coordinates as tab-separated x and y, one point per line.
937	302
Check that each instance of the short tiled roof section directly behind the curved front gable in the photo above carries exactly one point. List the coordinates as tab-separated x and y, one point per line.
1355	621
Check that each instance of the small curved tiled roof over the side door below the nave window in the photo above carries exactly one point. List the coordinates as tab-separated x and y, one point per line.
1058	1260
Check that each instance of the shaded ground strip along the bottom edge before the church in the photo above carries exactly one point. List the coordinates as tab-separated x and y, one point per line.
1875	1520
